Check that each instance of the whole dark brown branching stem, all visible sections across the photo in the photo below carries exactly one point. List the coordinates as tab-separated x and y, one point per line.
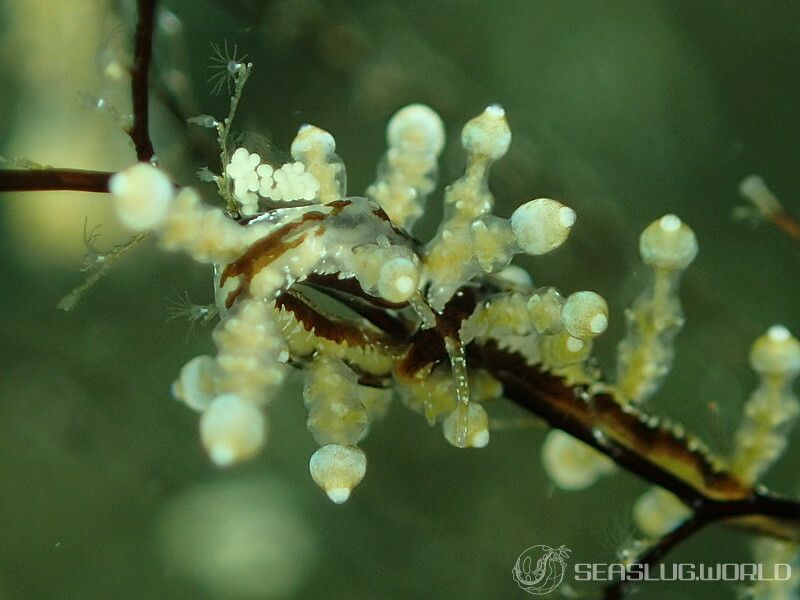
656	452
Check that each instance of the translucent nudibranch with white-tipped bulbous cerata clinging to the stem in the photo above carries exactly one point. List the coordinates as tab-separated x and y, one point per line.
337	285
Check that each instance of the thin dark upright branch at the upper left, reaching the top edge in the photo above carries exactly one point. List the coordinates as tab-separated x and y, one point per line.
143	52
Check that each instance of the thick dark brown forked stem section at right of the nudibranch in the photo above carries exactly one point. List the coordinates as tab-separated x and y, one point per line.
648	449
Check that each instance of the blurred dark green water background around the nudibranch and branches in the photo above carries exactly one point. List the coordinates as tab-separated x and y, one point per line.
623	110
